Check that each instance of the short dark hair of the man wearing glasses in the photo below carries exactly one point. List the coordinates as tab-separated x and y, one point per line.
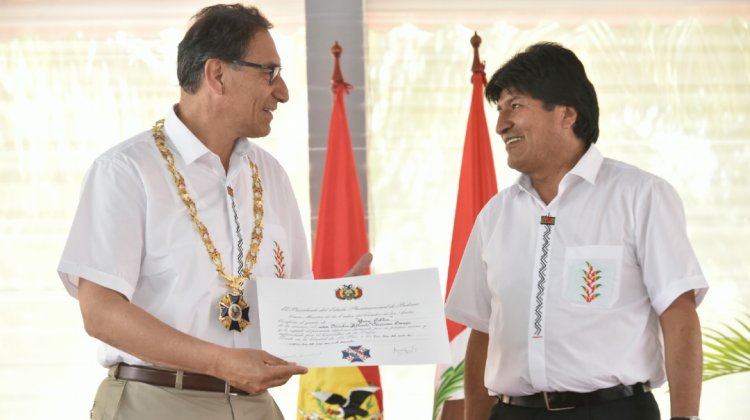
221	31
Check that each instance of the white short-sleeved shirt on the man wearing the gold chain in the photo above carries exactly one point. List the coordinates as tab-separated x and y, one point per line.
133	234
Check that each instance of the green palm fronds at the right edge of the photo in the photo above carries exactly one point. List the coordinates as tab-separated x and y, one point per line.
727	353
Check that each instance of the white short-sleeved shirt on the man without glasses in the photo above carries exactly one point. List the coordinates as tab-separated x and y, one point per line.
574	306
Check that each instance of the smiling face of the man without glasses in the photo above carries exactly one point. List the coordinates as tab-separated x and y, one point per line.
533	135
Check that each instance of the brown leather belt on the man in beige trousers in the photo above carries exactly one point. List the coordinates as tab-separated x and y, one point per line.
166	378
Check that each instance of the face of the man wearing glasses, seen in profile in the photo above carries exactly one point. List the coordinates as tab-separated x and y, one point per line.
250	99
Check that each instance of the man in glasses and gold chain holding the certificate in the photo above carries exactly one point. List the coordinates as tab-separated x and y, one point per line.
170	225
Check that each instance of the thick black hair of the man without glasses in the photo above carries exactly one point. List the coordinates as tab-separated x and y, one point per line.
551	73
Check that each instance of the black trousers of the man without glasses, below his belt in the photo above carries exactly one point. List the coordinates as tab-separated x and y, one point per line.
638	407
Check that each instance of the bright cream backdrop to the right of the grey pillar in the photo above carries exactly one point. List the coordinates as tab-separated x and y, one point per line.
674	101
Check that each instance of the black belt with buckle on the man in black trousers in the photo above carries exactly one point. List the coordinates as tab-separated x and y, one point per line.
554	401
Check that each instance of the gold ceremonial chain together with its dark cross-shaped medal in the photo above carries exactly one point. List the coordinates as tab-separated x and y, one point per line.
233	311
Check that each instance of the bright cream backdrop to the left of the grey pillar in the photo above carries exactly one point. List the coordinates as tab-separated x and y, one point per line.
76	79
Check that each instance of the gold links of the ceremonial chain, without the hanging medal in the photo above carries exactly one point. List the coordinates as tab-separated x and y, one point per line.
257	236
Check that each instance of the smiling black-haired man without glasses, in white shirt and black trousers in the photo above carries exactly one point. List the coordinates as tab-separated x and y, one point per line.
574	275
